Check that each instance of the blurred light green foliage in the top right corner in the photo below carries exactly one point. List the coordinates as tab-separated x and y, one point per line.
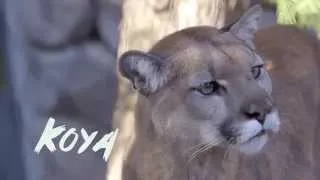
303	13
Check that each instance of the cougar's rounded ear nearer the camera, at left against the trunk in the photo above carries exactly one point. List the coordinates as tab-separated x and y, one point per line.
144	70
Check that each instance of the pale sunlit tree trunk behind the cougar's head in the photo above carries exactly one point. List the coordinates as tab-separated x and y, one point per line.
145	22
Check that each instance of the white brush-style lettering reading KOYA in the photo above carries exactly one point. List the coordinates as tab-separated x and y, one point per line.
50	132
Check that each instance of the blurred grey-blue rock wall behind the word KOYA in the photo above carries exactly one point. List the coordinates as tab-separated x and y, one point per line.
62	55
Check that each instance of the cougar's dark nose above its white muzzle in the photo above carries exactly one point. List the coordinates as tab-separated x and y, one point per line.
257	110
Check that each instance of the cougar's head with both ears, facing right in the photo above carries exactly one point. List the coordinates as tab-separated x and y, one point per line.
207	86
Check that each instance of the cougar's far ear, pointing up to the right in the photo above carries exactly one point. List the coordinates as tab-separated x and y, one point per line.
247	25
